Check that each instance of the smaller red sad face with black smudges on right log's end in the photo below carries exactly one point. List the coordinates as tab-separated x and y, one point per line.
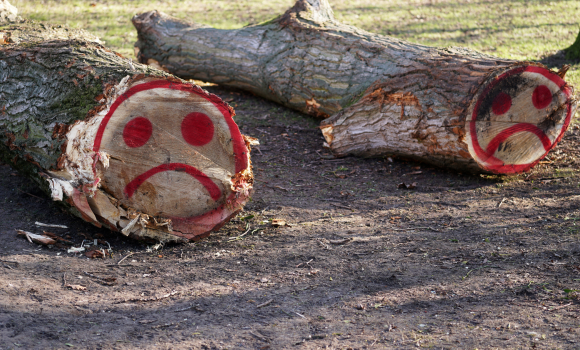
518	119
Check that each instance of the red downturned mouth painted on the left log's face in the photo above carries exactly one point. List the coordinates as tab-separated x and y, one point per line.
209	185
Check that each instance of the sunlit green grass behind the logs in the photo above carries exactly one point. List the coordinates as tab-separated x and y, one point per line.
516	29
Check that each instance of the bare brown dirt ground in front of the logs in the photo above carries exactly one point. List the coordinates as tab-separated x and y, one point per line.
461	261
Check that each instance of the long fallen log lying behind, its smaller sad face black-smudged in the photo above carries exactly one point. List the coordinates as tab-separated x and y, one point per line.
450	107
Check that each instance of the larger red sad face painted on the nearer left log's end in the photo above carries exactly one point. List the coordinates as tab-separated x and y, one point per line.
174	148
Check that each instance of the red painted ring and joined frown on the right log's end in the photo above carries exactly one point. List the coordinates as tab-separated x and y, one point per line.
496	165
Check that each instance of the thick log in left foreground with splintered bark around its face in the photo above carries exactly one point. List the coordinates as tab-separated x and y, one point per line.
123	145
